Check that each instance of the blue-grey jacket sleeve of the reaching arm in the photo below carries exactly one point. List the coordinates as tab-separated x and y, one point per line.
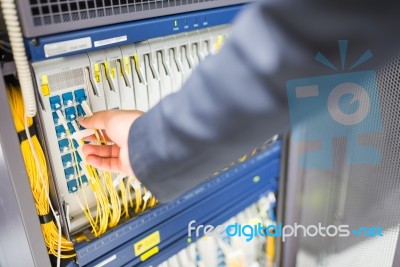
236	100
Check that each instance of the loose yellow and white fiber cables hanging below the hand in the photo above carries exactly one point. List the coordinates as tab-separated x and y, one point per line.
111	204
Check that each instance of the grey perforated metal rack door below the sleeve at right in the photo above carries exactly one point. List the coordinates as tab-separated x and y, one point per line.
363	195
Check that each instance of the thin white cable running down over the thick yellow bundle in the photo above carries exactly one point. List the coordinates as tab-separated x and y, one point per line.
35	157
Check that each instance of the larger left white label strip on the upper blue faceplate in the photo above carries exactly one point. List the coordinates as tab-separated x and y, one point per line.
60	48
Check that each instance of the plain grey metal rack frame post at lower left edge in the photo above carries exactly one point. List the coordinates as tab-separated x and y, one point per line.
21	239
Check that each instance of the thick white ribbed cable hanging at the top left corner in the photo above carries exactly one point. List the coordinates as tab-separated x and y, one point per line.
18	50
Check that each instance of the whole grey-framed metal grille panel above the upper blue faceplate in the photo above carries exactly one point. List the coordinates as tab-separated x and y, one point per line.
42	17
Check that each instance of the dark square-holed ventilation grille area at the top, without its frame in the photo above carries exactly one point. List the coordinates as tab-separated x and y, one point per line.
48	12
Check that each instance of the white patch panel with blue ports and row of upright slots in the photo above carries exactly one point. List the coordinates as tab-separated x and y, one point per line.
133	76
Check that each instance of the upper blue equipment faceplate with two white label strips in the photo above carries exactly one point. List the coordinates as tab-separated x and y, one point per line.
129	32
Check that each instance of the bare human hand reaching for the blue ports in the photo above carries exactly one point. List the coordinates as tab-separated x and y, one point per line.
115	124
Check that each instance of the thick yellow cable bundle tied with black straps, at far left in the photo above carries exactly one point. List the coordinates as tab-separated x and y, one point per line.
37	171
